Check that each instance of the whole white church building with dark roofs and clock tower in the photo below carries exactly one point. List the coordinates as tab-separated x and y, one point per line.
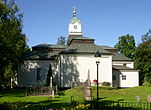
71	63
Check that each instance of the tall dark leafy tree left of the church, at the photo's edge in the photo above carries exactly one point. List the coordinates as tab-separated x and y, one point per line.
12	41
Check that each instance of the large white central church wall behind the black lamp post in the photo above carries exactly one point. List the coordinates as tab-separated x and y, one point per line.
75	69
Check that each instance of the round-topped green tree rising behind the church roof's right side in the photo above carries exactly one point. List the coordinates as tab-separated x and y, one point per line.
126	45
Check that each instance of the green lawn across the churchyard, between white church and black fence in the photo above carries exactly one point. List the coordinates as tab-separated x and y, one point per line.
105	93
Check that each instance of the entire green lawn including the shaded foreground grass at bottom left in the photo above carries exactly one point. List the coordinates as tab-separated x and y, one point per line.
106	94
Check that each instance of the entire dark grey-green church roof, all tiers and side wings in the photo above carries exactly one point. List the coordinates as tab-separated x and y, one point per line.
73	48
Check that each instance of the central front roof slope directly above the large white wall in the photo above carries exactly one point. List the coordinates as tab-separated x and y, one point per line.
84	48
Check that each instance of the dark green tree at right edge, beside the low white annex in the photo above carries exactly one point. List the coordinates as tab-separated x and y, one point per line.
143	60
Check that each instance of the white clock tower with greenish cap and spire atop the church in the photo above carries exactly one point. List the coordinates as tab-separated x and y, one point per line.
74	27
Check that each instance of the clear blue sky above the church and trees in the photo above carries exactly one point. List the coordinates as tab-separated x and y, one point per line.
104	20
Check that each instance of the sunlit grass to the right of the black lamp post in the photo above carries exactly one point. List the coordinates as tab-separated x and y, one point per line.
126	95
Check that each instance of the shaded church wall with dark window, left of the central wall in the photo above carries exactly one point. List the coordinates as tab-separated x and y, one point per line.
27	74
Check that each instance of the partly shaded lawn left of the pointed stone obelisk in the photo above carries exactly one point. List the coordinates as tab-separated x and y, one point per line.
18	95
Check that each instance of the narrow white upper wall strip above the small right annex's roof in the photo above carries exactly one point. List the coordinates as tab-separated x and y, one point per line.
129	64
